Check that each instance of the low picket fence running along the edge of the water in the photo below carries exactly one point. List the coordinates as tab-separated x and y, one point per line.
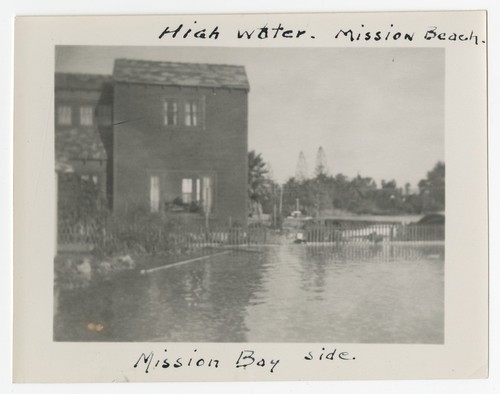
152	238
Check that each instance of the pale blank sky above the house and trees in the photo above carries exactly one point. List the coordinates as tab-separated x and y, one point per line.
378	112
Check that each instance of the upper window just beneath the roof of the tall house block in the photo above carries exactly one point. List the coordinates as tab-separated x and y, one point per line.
183	113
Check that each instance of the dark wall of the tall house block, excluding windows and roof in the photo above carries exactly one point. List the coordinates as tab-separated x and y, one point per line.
143	144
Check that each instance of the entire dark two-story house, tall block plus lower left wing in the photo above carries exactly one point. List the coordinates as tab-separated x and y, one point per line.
168	138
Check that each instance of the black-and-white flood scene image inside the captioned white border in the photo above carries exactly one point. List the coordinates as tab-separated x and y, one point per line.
223	194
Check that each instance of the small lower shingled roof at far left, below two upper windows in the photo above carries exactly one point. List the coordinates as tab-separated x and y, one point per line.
79	144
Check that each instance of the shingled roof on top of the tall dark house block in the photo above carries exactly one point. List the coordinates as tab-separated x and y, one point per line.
180	74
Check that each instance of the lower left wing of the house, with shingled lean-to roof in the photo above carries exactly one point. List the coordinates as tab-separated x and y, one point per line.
83	134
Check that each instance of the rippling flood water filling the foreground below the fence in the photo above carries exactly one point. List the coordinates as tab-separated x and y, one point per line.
288	293
